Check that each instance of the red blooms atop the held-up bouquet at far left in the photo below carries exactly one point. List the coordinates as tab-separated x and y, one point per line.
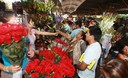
10	32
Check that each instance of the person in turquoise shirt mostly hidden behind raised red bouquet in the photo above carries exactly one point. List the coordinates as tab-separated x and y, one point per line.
7	68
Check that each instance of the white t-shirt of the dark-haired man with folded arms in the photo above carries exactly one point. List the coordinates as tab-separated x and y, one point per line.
91	55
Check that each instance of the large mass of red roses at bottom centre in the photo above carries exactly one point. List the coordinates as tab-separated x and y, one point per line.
53	63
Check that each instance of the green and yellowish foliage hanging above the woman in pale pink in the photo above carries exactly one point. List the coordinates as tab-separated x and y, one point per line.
39	11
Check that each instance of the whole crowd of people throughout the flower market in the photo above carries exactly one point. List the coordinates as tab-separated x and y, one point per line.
85	36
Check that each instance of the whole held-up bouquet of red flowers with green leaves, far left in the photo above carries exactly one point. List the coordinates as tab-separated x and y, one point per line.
13	42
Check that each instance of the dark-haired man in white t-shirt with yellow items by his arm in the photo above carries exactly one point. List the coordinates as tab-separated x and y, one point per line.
86	68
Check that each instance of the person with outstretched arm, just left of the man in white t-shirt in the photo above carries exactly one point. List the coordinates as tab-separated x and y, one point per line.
79	45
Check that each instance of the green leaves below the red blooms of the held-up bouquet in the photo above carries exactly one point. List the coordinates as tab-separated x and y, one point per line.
15	51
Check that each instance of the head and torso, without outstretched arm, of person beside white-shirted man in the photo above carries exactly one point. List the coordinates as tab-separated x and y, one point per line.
79	46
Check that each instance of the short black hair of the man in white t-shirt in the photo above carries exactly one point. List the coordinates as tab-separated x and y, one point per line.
96	32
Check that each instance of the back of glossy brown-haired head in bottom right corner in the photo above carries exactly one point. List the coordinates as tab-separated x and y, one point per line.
115	68
